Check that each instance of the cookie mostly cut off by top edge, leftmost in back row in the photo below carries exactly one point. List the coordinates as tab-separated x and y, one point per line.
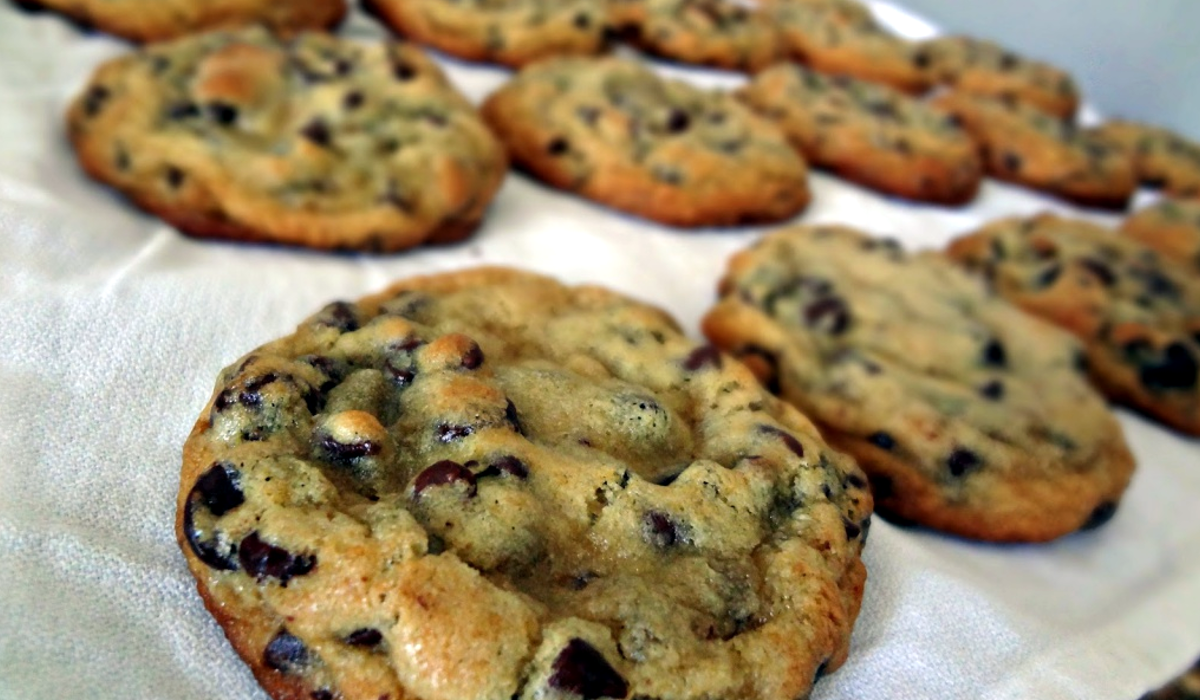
147	21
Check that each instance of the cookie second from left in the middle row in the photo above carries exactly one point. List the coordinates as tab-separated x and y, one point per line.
614	131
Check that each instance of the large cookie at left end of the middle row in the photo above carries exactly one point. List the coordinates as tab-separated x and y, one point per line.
313	141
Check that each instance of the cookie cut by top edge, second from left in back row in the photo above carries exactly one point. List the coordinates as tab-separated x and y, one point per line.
513	33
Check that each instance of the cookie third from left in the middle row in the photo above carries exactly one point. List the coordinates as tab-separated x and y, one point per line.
869	134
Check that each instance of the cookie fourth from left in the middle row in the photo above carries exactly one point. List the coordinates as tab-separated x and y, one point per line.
1025	146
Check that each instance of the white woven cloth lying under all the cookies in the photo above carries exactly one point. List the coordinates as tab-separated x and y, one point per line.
113	330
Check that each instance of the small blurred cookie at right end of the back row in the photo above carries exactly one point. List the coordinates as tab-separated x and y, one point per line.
982	68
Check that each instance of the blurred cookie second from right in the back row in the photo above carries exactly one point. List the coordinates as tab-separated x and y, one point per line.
843	38
